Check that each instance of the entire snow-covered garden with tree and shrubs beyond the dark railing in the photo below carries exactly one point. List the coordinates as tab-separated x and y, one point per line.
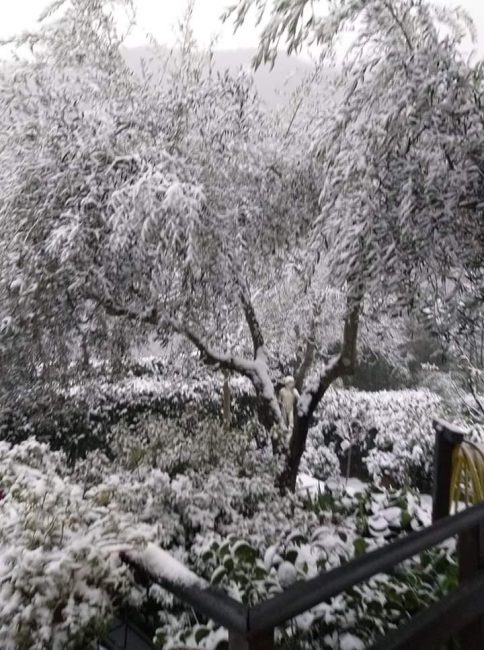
226	329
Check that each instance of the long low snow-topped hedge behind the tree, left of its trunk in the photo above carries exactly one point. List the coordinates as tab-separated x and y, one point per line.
80	418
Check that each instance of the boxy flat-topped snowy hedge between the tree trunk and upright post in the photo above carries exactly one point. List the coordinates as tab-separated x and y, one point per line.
382	435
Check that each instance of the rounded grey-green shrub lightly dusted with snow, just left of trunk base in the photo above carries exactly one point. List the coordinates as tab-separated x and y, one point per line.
194	473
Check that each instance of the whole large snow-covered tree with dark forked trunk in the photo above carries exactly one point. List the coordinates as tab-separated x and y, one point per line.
182	208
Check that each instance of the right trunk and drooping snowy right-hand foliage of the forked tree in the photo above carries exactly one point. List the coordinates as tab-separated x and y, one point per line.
401	204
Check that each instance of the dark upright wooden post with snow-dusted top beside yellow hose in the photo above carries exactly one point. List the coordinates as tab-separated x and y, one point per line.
447	437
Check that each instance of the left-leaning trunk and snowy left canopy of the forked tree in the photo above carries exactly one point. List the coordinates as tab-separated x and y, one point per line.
165	206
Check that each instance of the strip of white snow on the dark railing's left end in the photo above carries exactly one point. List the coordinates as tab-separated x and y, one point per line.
161	564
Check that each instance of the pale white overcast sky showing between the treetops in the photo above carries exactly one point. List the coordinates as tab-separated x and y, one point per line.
160	17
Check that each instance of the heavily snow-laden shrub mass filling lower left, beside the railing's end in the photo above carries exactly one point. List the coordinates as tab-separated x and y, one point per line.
61	530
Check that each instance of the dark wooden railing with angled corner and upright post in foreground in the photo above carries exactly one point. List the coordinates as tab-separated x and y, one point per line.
459	613
